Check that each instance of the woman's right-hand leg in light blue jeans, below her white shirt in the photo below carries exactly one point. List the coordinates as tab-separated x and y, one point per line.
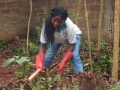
76	60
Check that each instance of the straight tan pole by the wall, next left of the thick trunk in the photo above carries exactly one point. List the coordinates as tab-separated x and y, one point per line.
100	25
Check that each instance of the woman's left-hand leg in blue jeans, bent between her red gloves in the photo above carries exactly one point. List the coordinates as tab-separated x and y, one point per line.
50	53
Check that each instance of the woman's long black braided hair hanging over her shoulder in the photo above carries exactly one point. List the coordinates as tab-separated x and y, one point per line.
49	29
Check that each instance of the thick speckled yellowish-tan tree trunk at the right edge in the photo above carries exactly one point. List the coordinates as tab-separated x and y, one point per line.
116	41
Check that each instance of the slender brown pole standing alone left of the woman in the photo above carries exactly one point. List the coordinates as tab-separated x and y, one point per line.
29	28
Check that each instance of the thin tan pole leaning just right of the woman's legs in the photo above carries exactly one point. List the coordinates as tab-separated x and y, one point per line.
87	22
